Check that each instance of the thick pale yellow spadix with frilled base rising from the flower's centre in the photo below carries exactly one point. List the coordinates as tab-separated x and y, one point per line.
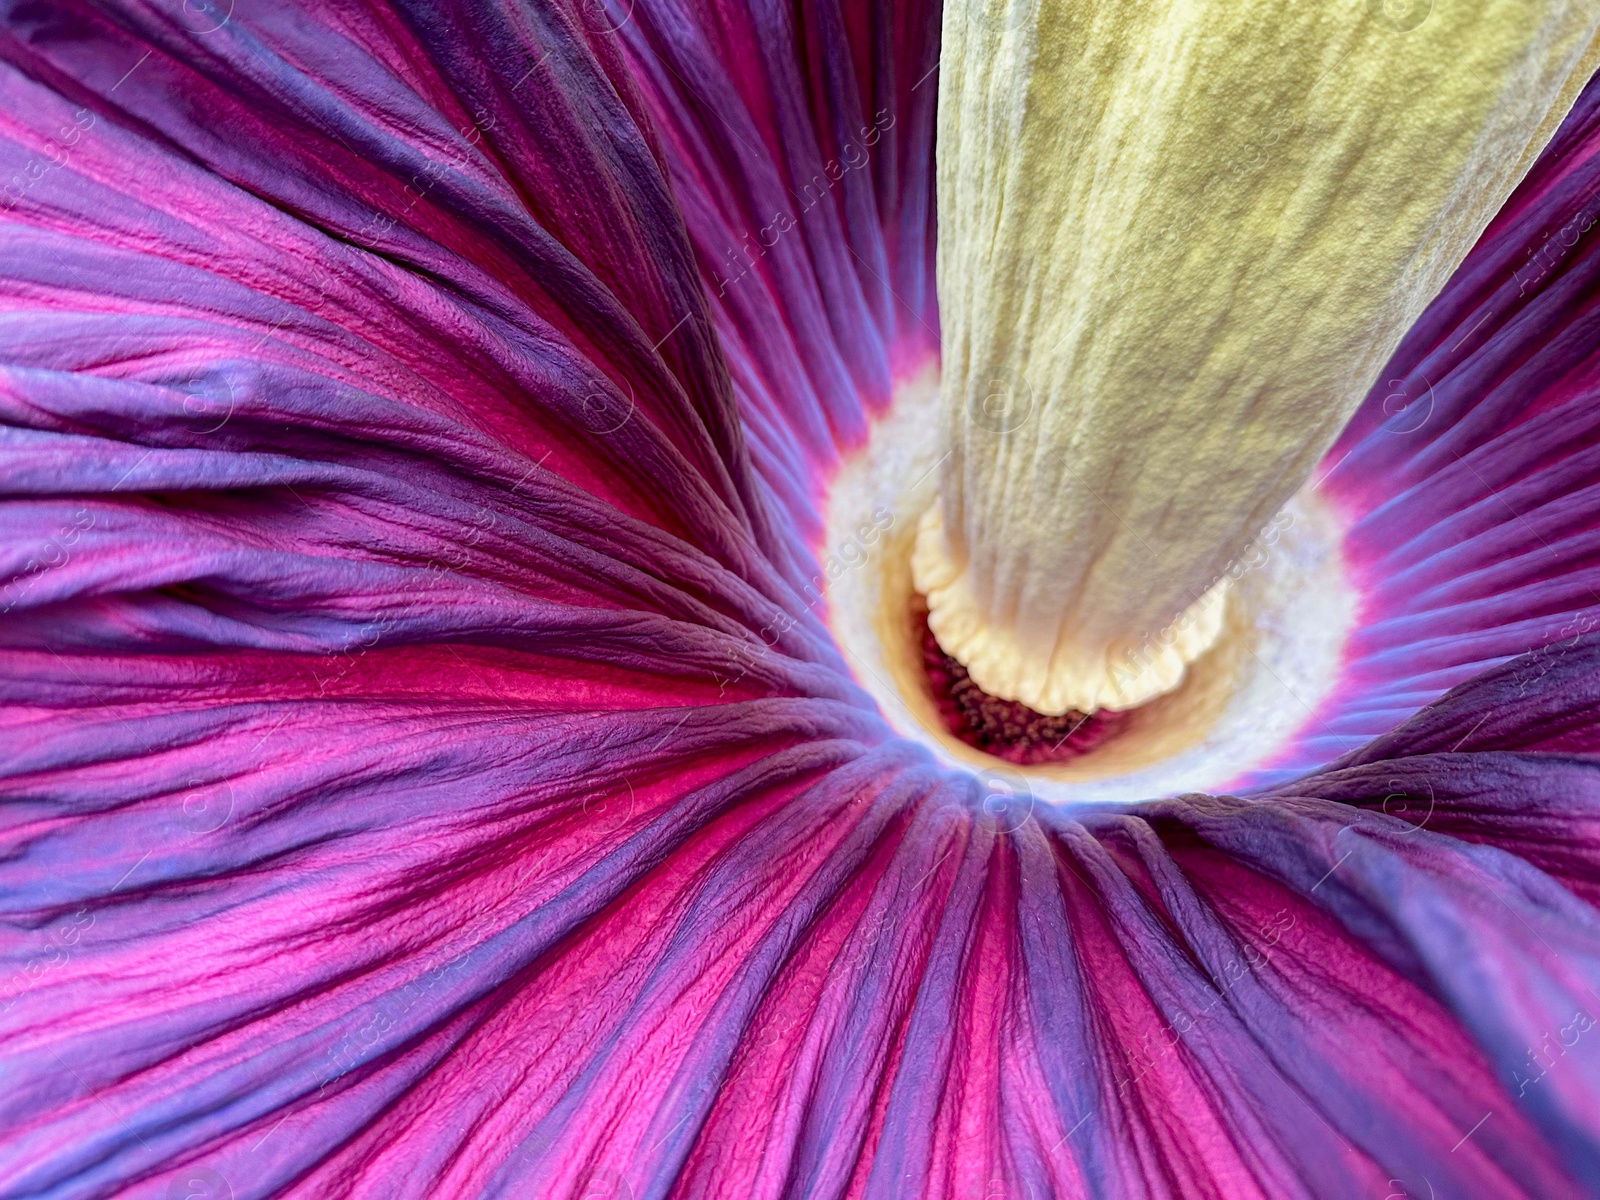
1178	241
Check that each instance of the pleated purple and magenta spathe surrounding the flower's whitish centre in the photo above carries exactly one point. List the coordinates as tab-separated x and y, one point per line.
428	777
